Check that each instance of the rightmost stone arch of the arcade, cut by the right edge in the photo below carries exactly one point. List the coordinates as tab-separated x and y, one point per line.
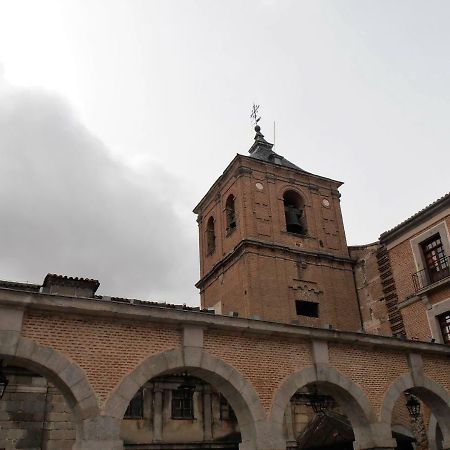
430	392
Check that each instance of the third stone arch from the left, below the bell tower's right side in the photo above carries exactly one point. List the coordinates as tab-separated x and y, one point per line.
354	403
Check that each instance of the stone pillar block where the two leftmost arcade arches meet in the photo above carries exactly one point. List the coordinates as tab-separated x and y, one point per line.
99	433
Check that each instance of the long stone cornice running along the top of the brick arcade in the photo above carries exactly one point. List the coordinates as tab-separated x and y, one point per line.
178	319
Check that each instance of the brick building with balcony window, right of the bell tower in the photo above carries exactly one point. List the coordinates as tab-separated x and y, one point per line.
403	280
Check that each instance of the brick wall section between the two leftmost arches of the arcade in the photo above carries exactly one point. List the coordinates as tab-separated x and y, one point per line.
105	349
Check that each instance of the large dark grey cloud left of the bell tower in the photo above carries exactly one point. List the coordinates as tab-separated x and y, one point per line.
68	207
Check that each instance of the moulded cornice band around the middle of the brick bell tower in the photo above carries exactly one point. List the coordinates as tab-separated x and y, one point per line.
245	243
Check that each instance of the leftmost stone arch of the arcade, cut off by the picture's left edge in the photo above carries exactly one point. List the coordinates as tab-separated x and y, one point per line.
65	374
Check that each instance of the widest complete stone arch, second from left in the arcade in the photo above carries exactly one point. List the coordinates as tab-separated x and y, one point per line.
239	392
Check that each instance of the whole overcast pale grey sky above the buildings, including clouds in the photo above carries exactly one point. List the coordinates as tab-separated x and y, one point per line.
116	116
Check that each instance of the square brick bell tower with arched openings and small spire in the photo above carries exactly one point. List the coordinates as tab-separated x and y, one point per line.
272	244
